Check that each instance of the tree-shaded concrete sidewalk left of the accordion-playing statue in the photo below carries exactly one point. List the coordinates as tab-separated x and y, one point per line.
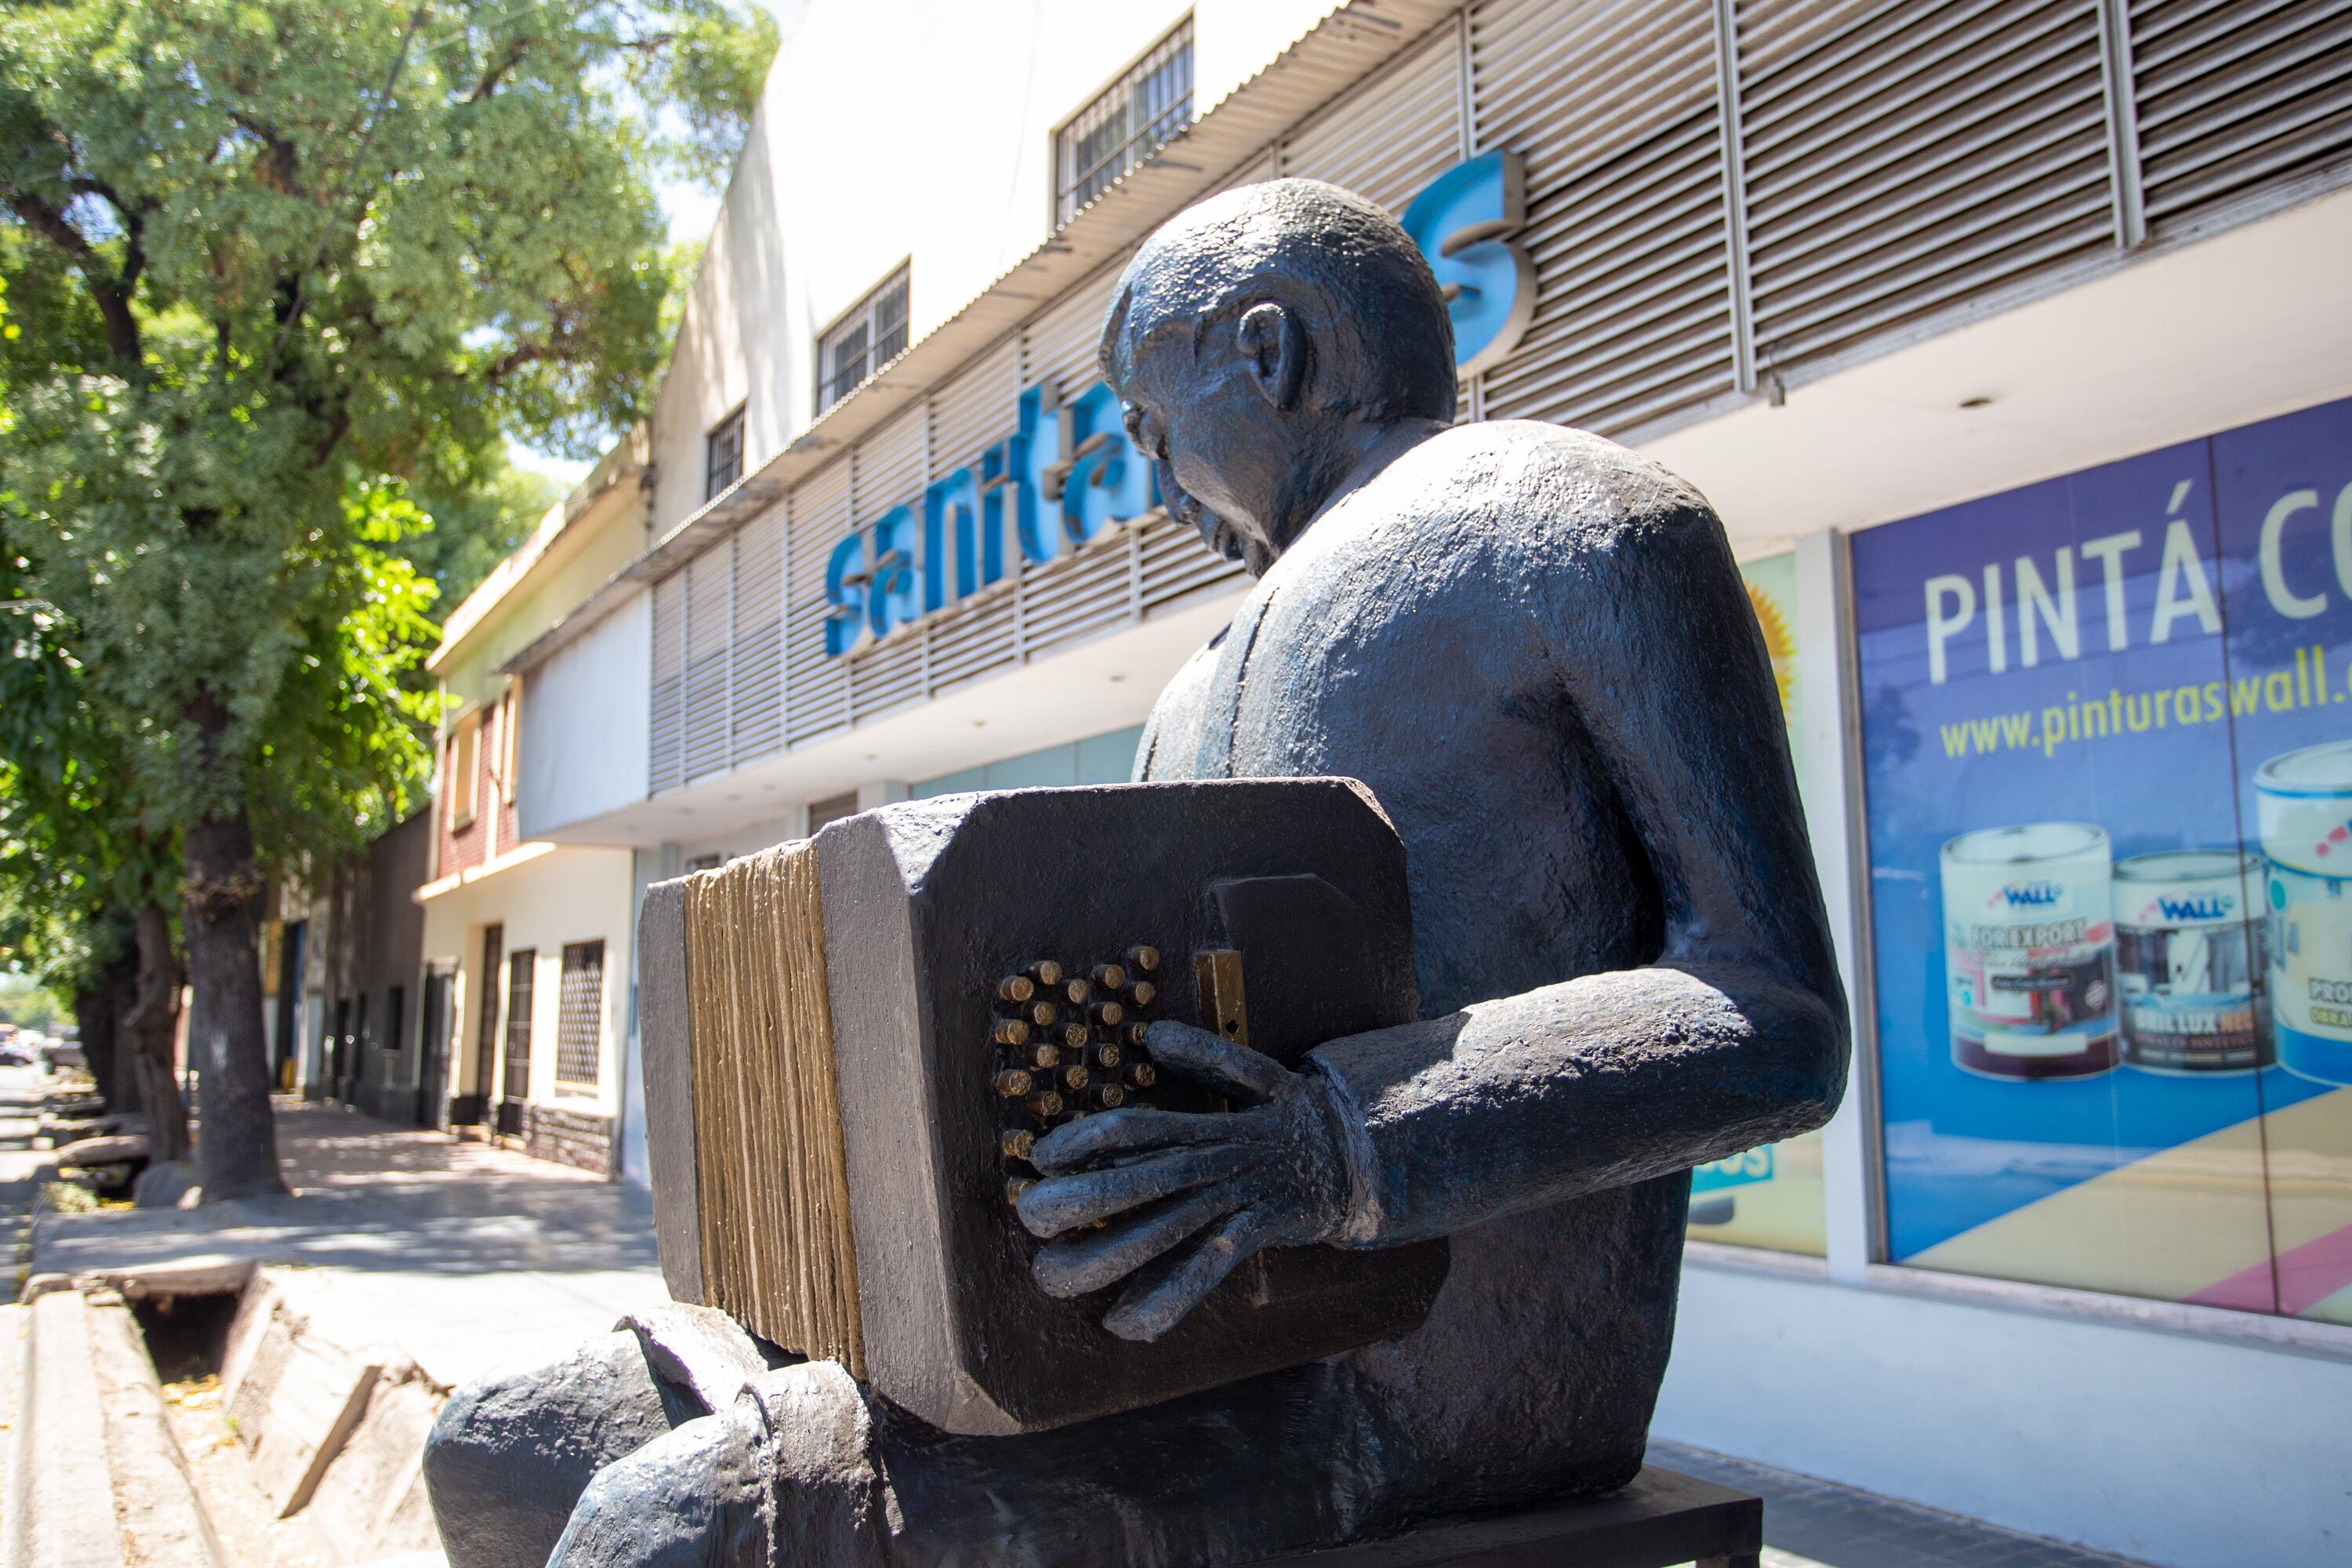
455	1254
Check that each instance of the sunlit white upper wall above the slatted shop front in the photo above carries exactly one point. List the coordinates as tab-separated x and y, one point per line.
935	123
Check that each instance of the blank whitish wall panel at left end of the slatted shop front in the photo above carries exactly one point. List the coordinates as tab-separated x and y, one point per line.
584	713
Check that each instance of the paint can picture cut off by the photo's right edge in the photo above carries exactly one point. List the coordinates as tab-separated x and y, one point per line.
2304	805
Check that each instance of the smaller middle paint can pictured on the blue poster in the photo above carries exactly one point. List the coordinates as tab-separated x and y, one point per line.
2189	960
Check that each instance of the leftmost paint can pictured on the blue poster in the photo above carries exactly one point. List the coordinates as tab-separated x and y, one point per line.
2029	946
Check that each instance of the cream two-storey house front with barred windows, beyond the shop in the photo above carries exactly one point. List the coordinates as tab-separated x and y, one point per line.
526	949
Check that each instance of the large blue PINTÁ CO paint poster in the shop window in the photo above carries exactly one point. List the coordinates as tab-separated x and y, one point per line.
2109	770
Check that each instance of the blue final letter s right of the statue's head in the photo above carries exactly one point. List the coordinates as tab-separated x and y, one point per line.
1462	222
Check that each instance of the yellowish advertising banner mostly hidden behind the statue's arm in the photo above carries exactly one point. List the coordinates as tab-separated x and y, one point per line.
1772	1195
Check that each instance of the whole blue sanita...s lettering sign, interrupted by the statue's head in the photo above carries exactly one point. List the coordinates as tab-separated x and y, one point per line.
1069	471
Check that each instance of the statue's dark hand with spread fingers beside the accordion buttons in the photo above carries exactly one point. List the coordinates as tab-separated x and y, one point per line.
1262	1177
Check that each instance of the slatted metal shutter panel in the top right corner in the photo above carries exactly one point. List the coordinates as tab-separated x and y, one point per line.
2236	95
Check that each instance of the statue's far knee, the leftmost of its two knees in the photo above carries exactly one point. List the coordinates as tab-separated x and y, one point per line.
514	1449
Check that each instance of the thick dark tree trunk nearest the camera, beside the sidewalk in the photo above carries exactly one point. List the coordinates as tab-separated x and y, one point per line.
236	1151
